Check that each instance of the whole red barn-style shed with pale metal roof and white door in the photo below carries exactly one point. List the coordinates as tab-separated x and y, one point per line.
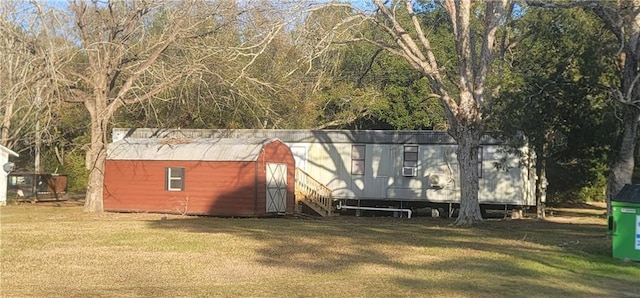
219	177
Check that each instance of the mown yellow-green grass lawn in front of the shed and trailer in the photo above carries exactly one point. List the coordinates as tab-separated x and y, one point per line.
50	251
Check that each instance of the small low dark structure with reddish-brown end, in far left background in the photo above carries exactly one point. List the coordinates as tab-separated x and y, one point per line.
27	186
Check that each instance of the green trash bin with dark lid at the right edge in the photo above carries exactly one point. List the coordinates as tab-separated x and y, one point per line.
624	223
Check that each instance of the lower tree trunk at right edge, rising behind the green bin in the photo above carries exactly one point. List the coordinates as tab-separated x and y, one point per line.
622	168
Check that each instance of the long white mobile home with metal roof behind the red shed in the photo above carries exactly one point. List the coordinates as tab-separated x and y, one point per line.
387	168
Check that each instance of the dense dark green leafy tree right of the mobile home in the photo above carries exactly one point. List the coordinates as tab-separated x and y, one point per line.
557	95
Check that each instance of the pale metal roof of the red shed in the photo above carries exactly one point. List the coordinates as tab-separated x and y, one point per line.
220	149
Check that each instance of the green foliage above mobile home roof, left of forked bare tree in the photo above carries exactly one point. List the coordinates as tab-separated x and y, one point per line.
400	96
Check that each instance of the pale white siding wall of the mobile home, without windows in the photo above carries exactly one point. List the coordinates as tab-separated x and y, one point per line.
383	178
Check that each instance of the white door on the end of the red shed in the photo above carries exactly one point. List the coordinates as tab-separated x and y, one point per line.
276	187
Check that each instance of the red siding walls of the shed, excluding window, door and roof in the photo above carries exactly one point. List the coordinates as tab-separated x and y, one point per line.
211	187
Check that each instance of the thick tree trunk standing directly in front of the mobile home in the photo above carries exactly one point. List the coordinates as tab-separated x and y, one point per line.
468	138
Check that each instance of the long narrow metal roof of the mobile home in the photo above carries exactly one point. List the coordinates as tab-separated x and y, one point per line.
303	136
